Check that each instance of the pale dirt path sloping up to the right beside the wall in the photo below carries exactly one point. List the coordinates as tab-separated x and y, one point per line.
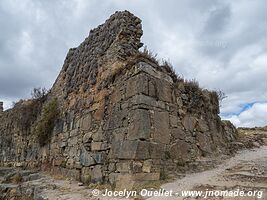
246	171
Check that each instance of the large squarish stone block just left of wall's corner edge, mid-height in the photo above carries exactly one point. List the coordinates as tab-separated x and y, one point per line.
140	125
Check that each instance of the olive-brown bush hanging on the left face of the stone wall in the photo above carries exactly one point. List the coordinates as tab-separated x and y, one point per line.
46	123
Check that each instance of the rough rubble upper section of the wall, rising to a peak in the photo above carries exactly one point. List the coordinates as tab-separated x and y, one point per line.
117	39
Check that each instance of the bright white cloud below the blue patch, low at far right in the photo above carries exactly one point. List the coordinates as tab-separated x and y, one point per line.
254	115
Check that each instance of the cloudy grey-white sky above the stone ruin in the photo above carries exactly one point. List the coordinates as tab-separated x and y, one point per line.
222	44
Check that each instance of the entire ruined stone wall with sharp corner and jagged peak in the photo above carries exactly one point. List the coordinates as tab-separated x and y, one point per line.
117	116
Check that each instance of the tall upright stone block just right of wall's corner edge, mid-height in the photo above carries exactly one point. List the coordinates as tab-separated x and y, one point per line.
161	123
